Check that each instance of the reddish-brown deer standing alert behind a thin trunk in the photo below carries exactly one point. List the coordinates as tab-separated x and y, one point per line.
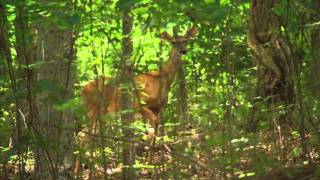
154	87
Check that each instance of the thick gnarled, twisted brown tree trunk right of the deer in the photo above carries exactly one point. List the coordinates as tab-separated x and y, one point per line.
272	56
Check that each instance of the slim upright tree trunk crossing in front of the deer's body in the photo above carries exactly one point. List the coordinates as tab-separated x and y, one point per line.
128	152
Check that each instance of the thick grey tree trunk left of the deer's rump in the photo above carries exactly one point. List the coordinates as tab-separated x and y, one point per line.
54	155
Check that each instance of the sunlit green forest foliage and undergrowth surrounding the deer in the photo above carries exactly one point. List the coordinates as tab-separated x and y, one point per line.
220	79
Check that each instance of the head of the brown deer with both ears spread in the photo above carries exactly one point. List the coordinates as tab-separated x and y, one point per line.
179	42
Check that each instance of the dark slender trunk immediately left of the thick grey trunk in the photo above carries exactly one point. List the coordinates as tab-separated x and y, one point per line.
26	55
